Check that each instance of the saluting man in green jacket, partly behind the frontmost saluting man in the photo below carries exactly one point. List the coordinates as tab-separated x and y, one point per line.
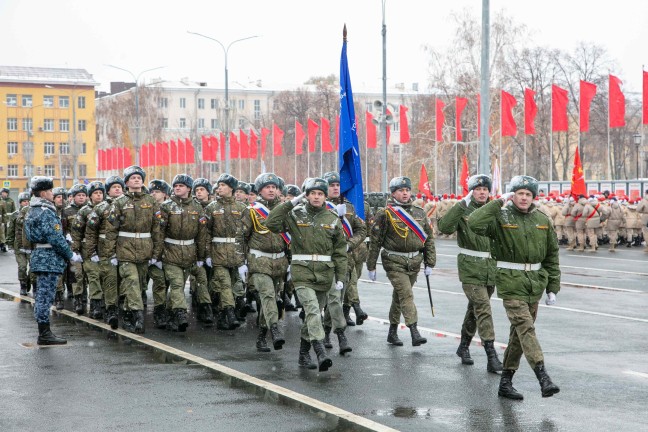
476	271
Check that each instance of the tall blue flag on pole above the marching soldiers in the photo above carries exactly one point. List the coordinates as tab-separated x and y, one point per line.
350	163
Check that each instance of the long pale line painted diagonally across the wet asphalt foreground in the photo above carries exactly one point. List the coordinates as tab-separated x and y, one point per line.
249	379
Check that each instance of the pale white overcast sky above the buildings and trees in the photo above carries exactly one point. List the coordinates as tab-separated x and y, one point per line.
298	38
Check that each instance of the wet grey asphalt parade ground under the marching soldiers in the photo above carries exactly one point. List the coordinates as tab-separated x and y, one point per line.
595	341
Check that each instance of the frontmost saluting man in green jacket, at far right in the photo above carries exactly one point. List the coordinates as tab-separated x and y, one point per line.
526	249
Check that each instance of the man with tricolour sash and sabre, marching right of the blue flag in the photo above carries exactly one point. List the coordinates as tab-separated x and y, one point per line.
403	231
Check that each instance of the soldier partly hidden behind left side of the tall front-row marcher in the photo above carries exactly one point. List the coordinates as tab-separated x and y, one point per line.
100	244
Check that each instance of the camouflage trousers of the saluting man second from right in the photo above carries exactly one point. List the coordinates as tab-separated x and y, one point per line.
479	317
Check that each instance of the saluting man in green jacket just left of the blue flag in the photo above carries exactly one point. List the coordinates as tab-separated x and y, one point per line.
319	258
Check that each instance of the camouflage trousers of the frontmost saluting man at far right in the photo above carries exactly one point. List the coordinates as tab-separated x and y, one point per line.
522	339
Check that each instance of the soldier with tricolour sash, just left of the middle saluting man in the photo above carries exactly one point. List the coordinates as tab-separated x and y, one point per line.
266	260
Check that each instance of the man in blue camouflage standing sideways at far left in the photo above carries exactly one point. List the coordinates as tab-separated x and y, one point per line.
48	260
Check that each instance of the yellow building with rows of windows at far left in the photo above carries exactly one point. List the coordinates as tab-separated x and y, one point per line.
47	126
